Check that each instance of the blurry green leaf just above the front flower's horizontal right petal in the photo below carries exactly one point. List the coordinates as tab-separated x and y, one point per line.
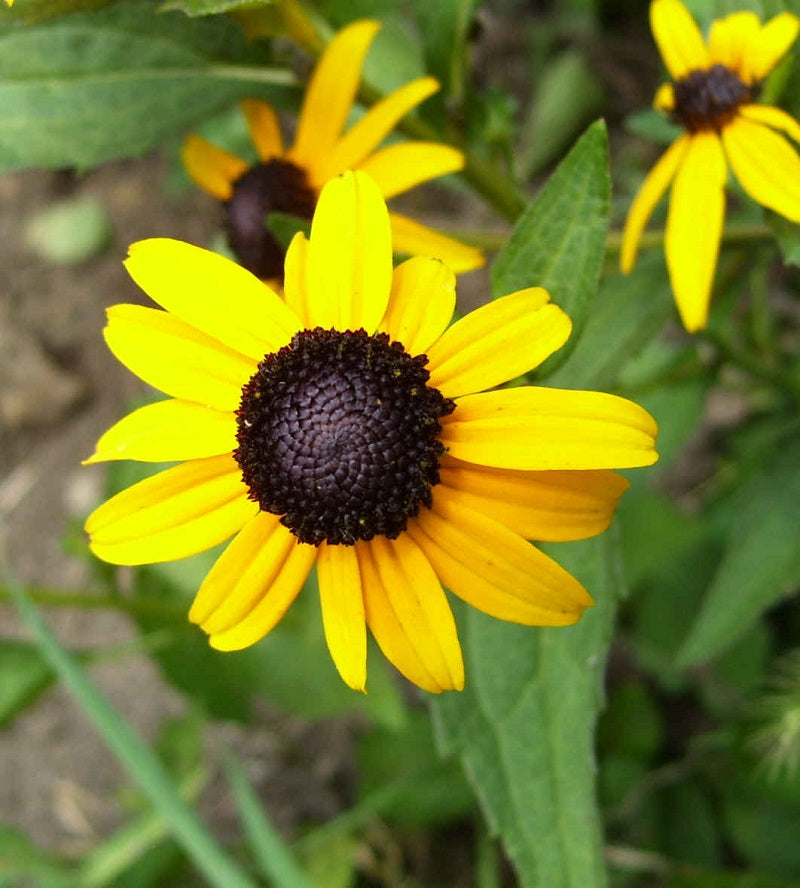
628	312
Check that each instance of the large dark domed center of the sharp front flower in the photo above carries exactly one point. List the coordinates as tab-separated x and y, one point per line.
338	434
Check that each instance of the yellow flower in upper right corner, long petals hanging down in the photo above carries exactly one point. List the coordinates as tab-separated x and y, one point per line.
713	96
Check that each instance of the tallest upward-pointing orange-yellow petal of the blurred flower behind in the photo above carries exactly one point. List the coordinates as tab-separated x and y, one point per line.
330	96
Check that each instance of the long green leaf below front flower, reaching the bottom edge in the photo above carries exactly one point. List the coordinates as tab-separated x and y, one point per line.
523	727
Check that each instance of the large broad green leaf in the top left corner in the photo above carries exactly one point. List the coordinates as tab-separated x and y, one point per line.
85	88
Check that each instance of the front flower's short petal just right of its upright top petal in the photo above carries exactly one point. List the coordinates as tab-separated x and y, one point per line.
421	305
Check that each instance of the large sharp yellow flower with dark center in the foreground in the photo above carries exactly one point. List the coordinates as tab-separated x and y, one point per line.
347	426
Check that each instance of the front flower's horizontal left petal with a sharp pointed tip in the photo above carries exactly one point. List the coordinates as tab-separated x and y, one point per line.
168	431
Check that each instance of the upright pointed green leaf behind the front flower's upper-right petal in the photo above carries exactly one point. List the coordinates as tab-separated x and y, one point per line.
559	241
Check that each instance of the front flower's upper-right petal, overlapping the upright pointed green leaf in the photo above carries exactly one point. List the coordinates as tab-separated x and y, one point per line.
497	342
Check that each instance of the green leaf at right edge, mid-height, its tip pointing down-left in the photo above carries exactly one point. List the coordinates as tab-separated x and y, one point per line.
761	564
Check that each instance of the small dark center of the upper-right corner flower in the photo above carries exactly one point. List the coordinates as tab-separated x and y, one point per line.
709	99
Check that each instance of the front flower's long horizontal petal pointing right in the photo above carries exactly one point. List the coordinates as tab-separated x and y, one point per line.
534	428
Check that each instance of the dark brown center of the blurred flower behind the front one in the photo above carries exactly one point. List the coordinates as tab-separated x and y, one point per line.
276	186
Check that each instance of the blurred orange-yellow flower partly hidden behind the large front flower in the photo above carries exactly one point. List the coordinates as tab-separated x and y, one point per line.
289	181
